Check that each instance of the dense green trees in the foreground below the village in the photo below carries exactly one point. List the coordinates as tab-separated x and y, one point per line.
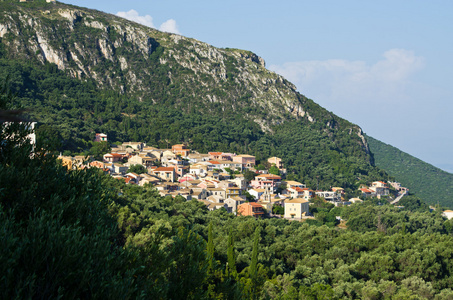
82	234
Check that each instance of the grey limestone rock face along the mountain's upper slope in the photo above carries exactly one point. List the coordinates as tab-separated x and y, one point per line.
131	58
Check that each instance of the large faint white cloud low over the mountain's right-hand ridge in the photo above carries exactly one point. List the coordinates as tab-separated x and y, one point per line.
335	80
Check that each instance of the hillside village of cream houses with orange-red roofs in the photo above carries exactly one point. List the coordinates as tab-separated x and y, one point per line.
220	180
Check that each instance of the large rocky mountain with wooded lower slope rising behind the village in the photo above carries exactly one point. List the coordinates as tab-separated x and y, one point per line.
80	71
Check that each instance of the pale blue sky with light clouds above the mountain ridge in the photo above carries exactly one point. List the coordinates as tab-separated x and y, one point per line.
384	65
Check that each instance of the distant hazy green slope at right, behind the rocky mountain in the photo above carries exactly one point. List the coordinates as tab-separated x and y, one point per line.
432	184
